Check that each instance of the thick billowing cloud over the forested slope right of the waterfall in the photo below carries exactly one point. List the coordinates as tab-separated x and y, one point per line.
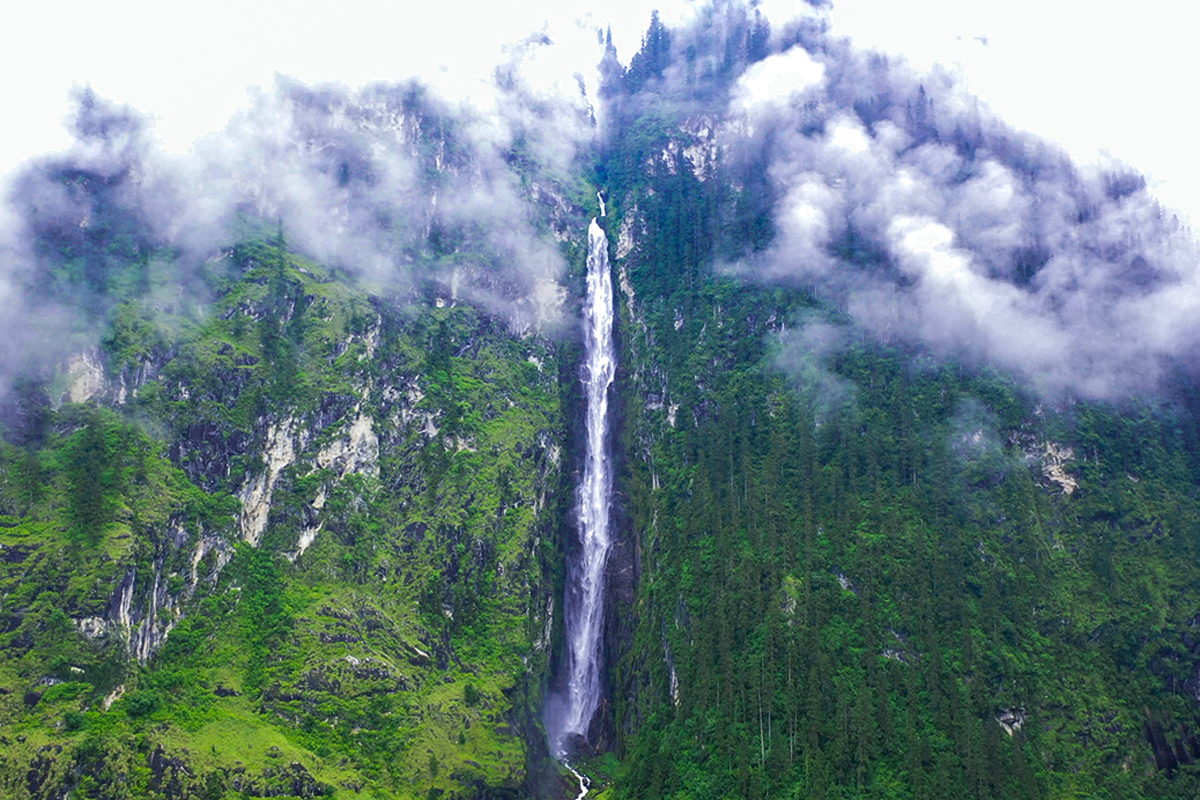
904	202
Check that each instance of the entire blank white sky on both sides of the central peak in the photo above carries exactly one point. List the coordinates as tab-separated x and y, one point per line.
1097	77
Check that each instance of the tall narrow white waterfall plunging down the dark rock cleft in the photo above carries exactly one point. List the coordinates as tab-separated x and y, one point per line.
586	575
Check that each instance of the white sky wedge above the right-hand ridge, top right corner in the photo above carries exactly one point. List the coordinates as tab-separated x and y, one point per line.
1106	81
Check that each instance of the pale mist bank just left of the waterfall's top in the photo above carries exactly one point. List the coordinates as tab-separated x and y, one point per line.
395	187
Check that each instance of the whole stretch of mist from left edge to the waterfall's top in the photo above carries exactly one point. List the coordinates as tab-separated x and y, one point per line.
399	189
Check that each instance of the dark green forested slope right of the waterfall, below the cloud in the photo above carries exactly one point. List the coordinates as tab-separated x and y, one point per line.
869	575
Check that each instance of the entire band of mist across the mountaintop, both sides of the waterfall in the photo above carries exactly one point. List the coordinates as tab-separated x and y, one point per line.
908	208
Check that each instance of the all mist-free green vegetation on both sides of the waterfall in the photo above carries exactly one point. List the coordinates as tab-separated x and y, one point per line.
284	534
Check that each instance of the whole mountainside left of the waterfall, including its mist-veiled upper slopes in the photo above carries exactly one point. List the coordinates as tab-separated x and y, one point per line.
277	527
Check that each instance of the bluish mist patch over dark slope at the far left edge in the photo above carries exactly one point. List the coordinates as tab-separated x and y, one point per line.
68	225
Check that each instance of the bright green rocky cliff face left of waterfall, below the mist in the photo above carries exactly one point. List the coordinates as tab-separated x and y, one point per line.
305	545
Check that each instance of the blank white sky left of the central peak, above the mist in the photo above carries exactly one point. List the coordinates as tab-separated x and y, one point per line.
190	67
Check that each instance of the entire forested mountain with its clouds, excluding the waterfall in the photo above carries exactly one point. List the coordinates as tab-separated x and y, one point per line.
277	525
